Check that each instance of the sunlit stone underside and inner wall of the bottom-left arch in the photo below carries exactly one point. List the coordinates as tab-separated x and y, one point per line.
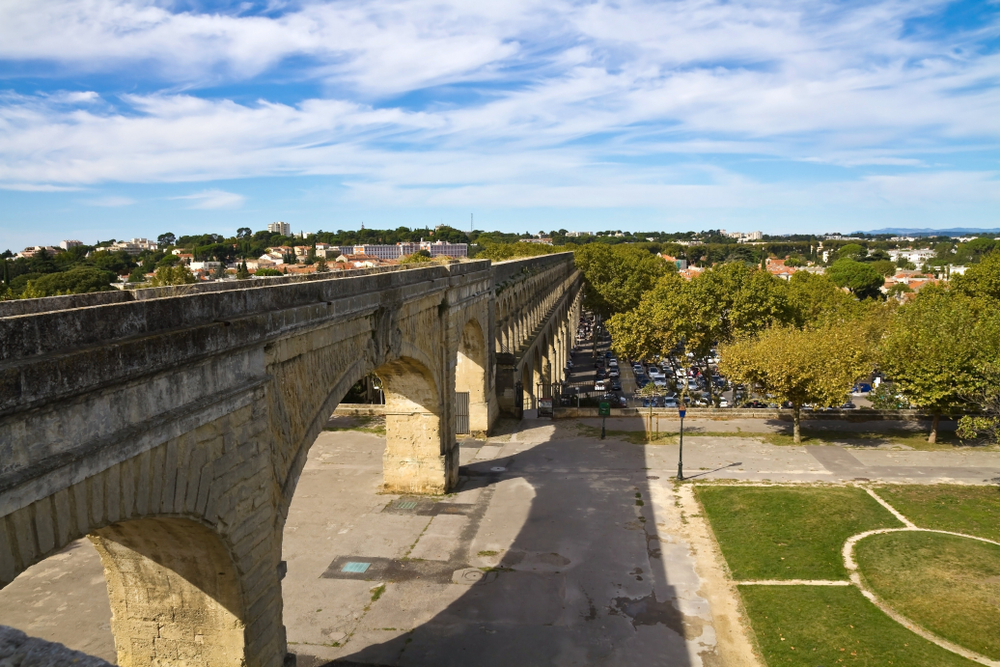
176	596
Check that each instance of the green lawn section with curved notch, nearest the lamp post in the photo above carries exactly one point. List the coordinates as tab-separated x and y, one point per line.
789	532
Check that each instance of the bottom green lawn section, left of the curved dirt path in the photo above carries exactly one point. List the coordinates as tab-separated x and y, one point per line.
811	626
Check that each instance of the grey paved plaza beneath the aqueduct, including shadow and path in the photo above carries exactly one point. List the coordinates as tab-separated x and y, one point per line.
557	549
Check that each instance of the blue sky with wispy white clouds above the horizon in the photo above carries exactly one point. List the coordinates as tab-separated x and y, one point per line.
121	119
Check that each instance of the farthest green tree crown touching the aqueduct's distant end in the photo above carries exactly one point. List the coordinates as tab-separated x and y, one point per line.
617	276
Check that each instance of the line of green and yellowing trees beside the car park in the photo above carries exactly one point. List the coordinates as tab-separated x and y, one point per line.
808	340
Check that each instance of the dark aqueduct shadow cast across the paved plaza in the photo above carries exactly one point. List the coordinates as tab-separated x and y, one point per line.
583	581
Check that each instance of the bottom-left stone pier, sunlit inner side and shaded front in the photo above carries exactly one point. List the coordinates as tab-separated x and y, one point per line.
179	597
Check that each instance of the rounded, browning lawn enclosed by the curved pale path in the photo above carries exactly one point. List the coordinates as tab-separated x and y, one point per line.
949	585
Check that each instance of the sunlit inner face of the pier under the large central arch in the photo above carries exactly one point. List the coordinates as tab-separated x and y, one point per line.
420	456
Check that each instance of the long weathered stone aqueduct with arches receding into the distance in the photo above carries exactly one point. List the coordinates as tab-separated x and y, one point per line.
170	425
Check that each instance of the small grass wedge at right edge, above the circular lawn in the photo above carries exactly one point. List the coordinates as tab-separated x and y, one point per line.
973	510
